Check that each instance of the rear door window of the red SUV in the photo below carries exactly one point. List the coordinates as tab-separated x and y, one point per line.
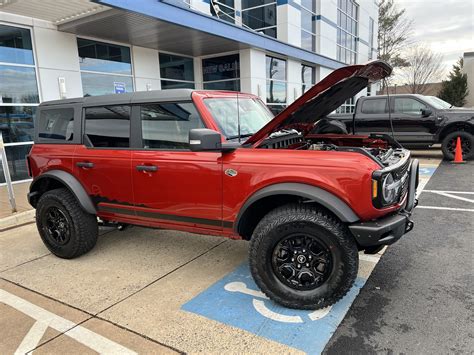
108	126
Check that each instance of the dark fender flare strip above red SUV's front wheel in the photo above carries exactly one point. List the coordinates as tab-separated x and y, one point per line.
312	193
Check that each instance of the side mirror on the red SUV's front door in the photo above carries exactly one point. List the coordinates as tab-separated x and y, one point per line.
207	140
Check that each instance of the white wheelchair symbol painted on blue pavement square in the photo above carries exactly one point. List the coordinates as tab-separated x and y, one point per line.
262	309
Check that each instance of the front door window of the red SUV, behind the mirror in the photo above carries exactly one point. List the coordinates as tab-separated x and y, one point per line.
167	125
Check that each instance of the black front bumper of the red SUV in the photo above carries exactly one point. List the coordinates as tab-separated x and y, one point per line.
388	230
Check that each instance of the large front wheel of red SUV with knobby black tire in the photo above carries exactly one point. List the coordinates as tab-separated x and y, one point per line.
302	257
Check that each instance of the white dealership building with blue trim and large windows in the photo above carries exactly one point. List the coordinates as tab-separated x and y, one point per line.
274	49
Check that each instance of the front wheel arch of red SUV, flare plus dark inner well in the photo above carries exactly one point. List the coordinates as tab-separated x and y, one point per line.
270	197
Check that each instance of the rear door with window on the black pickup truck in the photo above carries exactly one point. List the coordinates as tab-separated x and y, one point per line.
373	116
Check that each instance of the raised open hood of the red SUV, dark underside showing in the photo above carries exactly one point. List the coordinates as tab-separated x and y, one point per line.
324	97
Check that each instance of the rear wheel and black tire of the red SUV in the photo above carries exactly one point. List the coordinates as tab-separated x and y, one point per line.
65	228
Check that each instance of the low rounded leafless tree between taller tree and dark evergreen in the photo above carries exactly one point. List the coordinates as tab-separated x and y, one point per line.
424	67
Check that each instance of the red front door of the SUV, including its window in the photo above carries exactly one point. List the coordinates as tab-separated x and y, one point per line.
173	186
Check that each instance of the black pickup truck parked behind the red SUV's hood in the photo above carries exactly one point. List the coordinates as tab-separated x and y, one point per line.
418	121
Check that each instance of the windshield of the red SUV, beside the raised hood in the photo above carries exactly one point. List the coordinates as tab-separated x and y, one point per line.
252	114
